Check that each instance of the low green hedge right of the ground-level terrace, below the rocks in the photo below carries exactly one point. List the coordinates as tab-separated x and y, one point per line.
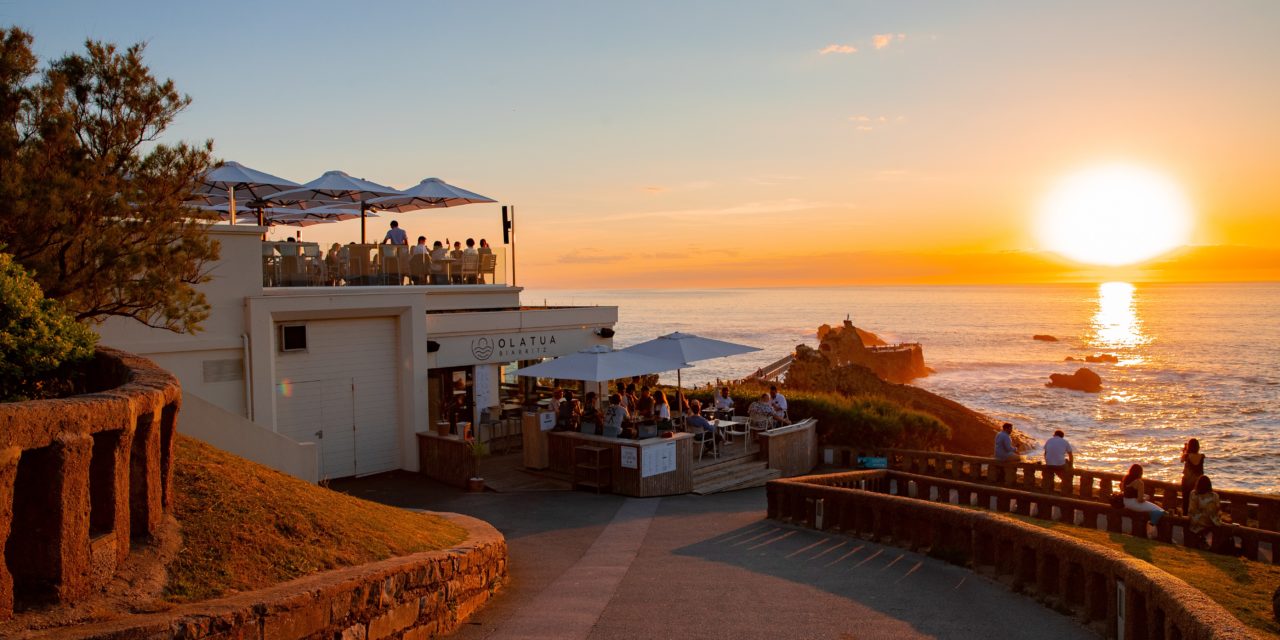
863	422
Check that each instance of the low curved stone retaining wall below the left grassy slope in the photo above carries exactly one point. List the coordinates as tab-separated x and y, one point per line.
414	597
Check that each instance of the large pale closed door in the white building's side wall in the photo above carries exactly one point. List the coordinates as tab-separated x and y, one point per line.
342	394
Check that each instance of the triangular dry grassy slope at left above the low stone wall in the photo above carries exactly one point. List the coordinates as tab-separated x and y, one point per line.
246	527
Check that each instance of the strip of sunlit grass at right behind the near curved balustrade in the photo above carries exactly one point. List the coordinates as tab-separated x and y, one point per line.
1241	587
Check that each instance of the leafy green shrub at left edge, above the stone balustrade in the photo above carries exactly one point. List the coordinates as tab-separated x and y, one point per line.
40	342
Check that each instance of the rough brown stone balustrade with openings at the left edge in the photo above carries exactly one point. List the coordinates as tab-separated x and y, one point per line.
83	478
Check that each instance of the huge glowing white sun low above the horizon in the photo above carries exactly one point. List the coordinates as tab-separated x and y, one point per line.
1114	216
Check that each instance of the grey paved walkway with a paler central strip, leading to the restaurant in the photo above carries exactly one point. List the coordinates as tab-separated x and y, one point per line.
606	568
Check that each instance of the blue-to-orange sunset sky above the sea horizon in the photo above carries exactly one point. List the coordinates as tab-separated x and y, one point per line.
739	144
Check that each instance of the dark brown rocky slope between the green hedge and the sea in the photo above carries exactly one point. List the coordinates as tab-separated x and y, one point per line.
972	432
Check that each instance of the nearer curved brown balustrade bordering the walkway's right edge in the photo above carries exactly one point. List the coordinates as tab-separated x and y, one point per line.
1103	587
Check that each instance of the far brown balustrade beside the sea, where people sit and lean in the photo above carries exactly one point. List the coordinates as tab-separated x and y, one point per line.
1246	509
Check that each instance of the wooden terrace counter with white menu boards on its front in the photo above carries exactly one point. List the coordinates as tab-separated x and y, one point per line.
642	469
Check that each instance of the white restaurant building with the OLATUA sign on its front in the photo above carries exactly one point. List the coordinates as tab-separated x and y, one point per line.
336	381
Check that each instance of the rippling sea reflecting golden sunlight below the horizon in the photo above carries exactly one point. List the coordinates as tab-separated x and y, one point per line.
1195	360
